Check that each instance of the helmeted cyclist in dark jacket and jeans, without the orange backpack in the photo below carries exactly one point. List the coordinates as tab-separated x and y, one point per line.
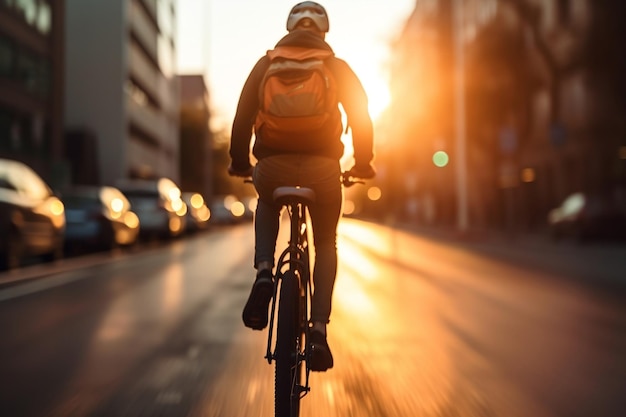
316	168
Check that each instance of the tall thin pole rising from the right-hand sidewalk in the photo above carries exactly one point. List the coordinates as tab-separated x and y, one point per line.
459	107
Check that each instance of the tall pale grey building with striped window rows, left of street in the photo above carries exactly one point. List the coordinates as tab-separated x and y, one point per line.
121	88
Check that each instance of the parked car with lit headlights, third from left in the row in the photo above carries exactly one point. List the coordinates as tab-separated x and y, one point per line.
158	205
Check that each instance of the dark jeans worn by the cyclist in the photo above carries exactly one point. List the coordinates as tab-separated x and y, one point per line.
322	175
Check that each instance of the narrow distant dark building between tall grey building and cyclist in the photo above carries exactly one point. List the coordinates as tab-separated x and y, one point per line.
196	138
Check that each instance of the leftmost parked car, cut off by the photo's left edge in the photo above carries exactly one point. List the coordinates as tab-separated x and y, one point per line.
32	219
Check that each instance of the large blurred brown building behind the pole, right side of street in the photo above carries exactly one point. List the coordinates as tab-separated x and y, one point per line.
543	101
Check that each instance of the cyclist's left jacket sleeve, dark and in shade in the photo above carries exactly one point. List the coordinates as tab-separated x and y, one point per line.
243	123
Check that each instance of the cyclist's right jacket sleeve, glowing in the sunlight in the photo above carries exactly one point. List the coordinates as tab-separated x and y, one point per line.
353	99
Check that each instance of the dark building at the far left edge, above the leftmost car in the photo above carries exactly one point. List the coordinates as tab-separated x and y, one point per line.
31	86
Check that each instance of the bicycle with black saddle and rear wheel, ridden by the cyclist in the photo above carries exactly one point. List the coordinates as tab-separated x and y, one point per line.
292	295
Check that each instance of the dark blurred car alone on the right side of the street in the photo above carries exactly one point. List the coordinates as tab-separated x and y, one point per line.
585	216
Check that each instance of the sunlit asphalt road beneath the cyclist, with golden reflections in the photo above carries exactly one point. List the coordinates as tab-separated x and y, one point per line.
421	326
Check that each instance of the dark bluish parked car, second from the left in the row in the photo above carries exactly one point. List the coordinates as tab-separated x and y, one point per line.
98	217
